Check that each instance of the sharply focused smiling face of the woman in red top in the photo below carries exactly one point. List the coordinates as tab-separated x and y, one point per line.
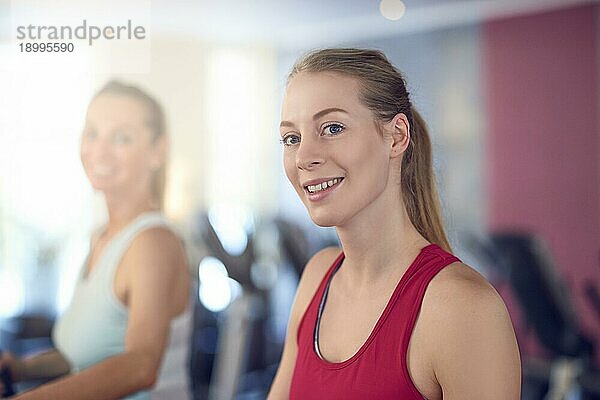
334	155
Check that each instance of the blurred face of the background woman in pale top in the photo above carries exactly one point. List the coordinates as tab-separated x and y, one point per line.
118	152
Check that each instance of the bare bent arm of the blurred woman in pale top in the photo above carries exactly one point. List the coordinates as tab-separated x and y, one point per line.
155	262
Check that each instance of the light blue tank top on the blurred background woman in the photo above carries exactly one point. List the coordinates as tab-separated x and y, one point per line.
93	327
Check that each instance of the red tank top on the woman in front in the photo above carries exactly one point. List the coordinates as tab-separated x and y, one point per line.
378	370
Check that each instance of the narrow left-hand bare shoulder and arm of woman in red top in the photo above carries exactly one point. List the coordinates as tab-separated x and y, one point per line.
312	276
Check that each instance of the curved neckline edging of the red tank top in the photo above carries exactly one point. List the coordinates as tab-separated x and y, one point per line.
315	353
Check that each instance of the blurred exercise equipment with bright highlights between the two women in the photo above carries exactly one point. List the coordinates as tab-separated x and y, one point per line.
248	257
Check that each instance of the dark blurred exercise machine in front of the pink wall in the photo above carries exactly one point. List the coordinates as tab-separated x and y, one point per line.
524	261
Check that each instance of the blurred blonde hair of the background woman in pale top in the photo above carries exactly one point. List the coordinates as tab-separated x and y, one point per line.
156	123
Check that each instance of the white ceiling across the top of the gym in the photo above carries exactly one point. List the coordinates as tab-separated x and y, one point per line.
287	24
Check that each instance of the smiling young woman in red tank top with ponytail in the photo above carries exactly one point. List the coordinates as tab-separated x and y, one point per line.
393	314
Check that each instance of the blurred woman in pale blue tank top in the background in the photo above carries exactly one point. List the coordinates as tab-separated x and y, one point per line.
126	332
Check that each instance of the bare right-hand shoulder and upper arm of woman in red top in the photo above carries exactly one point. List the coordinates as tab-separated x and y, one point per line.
467	329
